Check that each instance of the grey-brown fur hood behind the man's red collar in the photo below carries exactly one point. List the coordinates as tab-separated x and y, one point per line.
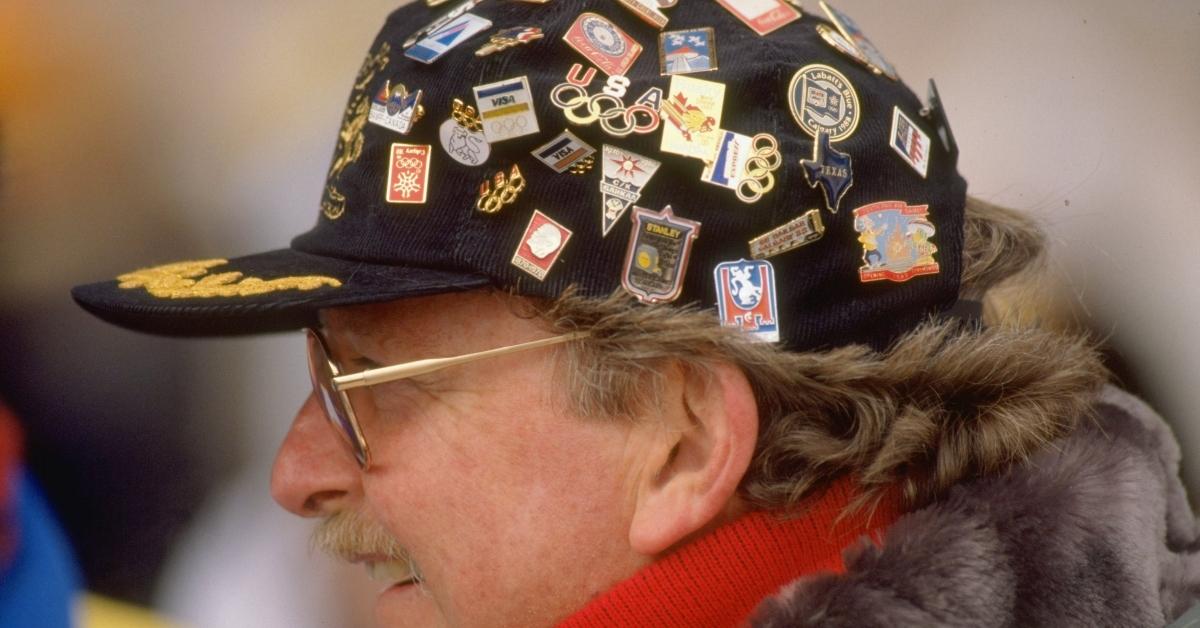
1093	530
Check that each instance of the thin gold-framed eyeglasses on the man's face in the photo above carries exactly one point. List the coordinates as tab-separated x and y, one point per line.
341	384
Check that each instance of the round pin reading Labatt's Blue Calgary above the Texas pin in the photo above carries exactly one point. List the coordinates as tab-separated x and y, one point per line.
823	99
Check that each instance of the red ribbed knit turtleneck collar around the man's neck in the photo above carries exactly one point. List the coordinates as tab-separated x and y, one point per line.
722	578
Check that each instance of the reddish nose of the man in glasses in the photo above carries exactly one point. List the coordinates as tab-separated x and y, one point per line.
314	474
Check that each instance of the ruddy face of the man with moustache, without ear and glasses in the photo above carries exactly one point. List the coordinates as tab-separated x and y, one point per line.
512	510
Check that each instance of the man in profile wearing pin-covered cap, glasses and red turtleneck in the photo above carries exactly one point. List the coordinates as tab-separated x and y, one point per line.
695	344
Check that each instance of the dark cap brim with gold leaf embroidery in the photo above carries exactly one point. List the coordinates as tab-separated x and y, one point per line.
219	303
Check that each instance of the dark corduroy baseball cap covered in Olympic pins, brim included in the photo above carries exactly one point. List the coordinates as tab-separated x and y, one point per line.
760	160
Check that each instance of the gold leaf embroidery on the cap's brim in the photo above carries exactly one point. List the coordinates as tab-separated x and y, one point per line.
190	280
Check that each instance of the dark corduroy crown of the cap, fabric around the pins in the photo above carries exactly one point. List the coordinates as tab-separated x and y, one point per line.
823	300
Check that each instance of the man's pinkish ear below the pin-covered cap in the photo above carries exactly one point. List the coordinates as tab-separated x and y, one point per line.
706	438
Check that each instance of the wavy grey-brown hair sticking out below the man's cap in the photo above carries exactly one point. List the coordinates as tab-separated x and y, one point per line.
944	403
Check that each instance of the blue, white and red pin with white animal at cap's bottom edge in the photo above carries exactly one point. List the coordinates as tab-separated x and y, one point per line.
746	298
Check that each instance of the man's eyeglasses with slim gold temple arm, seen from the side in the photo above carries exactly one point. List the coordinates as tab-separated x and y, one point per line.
331	386
